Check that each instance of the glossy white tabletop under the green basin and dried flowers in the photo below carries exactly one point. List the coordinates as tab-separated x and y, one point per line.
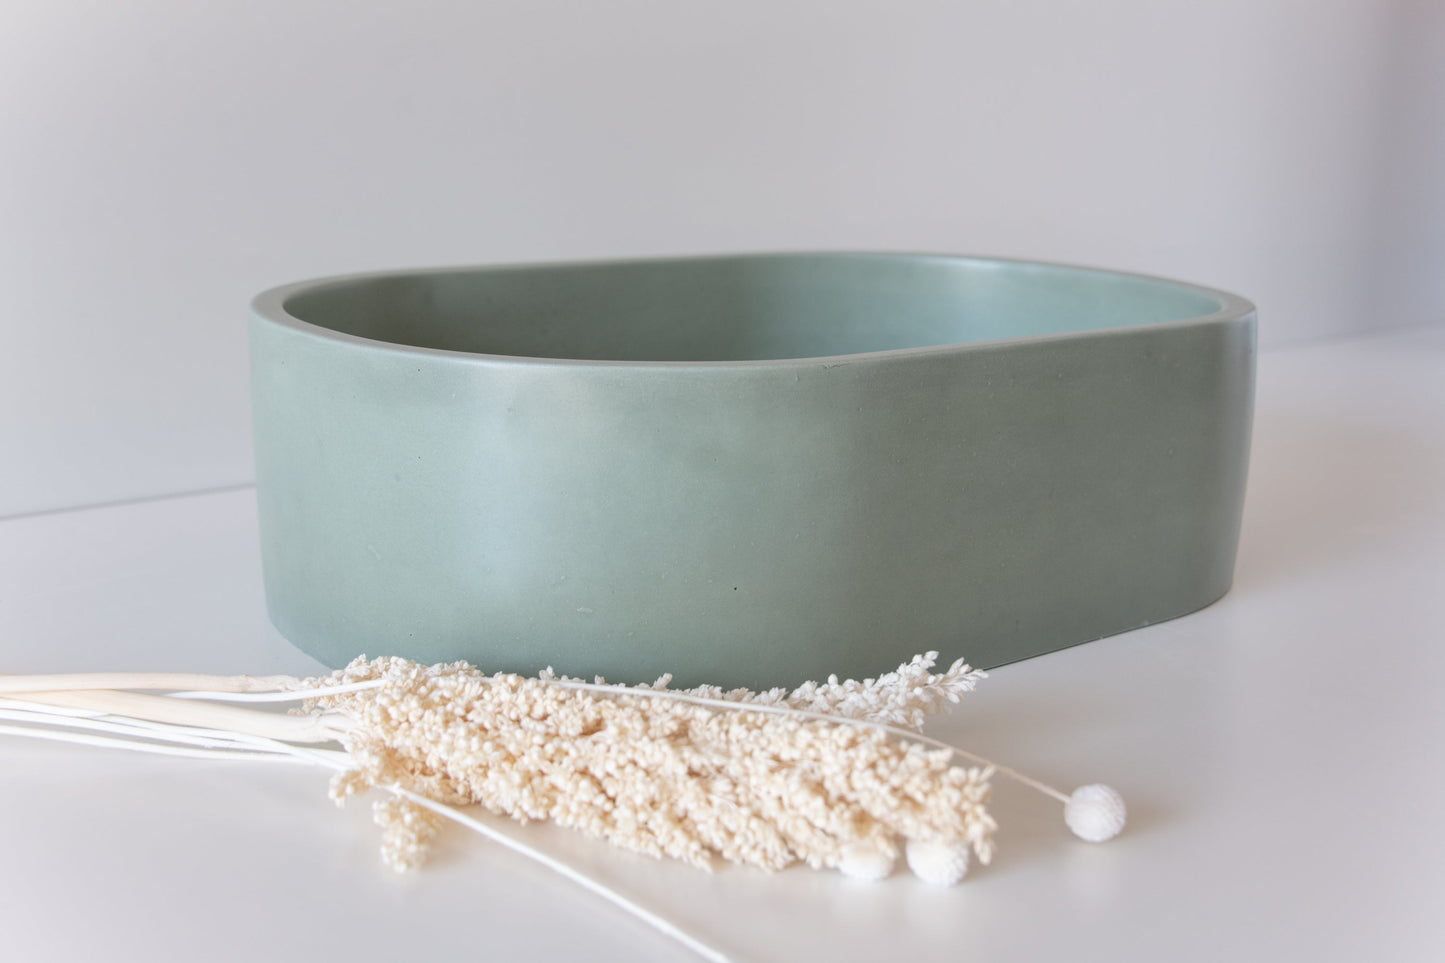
1281	754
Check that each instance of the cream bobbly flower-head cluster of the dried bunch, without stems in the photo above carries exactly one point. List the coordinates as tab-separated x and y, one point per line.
664	776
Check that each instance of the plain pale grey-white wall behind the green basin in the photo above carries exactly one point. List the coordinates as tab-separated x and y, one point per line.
161	163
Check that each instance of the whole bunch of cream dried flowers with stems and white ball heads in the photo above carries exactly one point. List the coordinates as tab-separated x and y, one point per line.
819	774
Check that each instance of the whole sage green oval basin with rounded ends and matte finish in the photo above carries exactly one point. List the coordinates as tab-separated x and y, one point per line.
749	469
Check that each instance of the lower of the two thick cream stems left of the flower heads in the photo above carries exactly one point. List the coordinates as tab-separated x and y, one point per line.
306	729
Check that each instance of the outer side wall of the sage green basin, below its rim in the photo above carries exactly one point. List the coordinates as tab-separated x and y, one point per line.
748	524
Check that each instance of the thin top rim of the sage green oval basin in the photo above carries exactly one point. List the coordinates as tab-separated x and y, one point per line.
271	307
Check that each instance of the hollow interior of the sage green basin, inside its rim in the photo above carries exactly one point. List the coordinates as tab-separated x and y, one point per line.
739	309
